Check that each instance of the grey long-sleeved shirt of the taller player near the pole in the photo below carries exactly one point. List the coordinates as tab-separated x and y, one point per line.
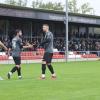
48	42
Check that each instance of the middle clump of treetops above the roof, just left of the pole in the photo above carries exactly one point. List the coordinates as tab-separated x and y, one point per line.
48	5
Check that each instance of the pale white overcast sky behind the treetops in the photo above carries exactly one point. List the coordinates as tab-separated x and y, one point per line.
93	3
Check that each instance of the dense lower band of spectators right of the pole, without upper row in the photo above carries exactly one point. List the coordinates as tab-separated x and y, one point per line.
84	45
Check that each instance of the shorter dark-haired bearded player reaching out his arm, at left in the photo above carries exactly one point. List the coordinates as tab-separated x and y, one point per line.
16	48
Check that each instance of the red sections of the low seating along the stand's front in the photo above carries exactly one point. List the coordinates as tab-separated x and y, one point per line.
31	56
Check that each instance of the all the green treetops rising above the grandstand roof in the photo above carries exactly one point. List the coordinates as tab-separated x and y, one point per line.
72	5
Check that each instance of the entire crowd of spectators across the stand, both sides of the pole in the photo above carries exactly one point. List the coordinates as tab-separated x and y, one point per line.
77	42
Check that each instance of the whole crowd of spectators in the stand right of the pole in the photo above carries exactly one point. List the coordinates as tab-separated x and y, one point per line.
84	42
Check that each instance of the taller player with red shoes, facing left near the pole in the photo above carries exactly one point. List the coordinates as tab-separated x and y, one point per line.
47	43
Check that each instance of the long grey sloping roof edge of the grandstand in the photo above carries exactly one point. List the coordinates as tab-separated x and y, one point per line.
31	13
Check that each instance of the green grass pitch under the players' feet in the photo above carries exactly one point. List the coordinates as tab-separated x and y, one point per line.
75	81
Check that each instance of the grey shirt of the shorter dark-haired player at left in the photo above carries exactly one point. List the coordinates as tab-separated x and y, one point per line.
16	46
